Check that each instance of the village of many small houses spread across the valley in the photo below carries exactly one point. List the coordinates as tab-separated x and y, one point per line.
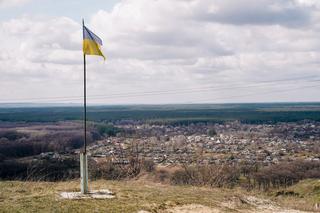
228	143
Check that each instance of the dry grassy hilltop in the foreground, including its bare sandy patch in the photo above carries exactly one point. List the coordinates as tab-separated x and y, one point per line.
135	196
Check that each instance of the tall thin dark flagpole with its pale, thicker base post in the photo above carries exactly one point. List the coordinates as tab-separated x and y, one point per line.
83	154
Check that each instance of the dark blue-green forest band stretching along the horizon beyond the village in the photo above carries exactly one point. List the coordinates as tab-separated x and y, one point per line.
173	114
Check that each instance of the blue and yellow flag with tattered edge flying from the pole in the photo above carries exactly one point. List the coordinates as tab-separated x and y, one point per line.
91	43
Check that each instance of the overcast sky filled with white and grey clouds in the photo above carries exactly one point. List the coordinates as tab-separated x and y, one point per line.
161	51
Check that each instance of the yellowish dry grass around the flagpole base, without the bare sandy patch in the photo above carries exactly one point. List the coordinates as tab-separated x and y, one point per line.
130	197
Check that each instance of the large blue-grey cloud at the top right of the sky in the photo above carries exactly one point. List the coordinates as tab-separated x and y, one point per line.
252	12
